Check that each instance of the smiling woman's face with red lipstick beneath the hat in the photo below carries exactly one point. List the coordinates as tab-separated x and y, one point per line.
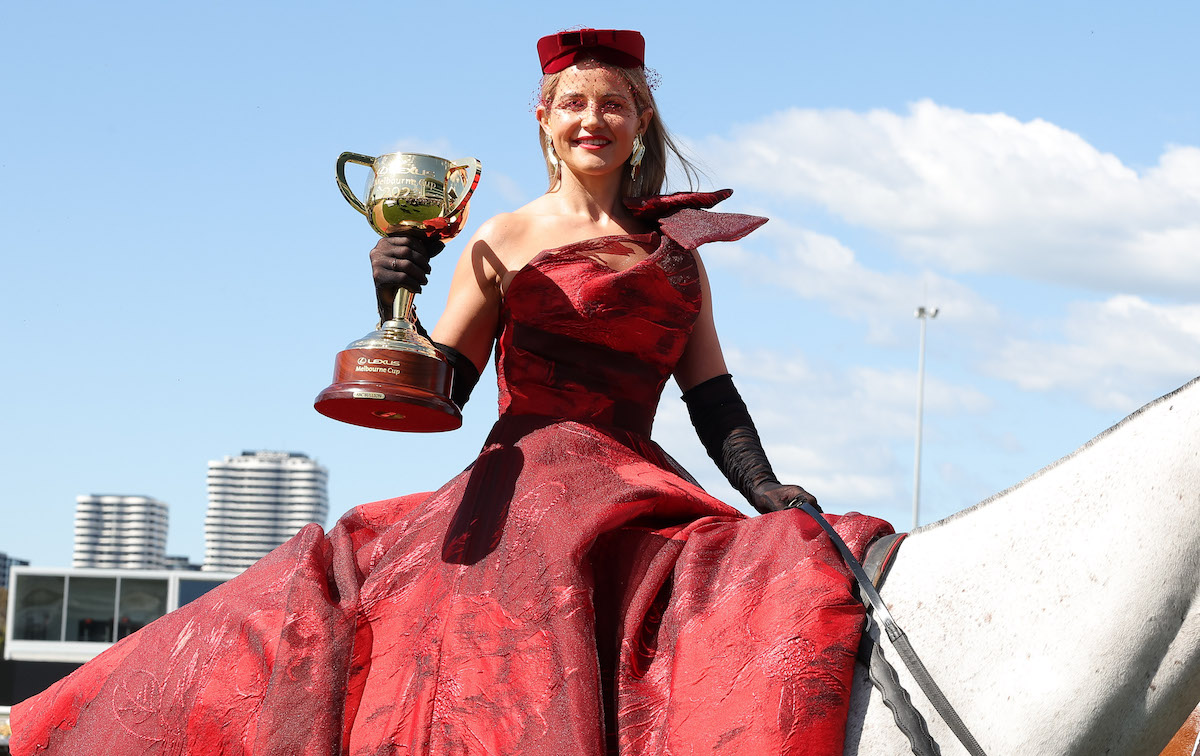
592	119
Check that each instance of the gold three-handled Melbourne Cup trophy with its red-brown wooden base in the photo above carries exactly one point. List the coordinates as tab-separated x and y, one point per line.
394	379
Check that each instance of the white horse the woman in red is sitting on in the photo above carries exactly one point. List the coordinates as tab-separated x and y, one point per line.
1060	617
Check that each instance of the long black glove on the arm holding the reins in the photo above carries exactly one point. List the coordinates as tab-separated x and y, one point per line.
730	439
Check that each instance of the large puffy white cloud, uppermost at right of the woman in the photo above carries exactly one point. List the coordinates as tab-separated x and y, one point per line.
982	193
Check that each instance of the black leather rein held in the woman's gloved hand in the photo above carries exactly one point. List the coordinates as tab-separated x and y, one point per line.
915	730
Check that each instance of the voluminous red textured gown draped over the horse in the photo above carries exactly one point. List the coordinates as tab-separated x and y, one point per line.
572	592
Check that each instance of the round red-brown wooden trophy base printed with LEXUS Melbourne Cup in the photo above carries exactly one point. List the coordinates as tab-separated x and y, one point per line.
392	388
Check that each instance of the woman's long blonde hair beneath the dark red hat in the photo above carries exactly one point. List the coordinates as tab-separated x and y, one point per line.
652	173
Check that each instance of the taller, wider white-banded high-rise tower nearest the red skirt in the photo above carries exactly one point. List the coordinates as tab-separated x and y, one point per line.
257	502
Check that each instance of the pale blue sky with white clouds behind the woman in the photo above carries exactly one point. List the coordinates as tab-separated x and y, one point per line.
179	268
